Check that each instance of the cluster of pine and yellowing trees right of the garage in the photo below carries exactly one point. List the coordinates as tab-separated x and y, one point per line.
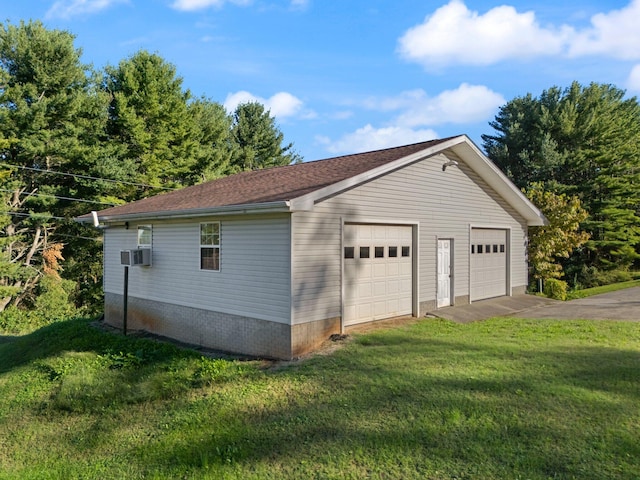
576	153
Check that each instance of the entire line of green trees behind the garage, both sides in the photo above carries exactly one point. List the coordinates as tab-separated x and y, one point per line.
74	139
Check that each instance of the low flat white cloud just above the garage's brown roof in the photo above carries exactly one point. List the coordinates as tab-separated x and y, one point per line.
369	138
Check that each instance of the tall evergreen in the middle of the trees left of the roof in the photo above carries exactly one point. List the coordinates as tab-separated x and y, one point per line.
149	123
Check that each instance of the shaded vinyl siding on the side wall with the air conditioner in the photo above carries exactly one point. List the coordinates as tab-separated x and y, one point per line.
254	277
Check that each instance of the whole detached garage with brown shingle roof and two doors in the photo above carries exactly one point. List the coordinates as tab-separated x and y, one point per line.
272	262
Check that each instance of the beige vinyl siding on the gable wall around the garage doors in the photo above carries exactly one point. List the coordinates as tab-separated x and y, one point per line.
444	204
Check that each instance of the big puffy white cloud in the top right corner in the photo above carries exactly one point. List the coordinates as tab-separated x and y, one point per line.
453	34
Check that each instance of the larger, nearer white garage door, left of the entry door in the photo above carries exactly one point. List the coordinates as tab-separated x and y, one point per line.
377	272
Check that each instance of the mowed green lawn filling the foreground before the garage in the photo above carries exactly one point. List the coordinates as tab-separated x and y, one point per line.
500	399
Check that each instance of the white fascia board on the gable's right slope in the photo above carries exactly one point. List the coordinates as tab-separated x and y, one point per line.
497	180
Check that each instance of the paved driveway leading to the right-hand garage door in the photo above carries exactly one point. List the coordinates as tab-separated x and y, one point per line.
619	305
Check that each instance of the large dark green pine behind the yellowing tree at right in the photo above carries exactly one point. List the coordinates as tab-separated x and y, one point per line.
582	141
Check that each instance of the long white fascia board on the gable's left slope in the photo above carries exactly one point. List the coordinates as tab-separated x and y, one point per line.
306	202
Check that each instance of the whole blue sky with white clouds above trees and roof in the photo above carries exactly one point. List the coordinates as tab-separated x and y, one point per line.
348	76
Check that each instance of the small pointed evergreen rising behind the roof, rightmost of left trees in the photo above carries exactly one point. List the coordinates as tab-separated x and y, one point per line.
257	140
